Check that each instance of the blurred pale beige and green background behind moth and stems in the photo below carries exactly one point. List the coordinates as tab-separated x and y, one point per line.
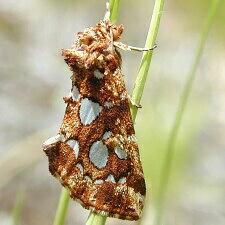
34	78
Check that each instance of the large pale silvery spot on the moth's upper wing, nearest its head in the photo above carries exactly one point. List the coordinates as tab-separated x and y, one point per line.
89	111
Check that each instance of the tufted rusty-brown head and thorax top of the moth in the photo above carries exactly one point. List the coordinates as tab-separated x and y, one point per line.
94	48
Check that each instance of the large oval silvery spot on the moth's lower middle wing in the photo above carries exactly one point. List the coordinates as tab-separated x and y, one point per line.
99	154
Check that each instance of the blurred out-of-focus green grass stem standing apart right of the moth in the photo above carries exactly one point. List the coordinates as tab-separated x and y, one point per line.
167	164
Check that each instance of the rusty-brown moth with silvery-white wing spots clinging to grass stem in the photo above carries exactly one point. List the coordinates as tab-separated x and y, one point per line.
95	154
